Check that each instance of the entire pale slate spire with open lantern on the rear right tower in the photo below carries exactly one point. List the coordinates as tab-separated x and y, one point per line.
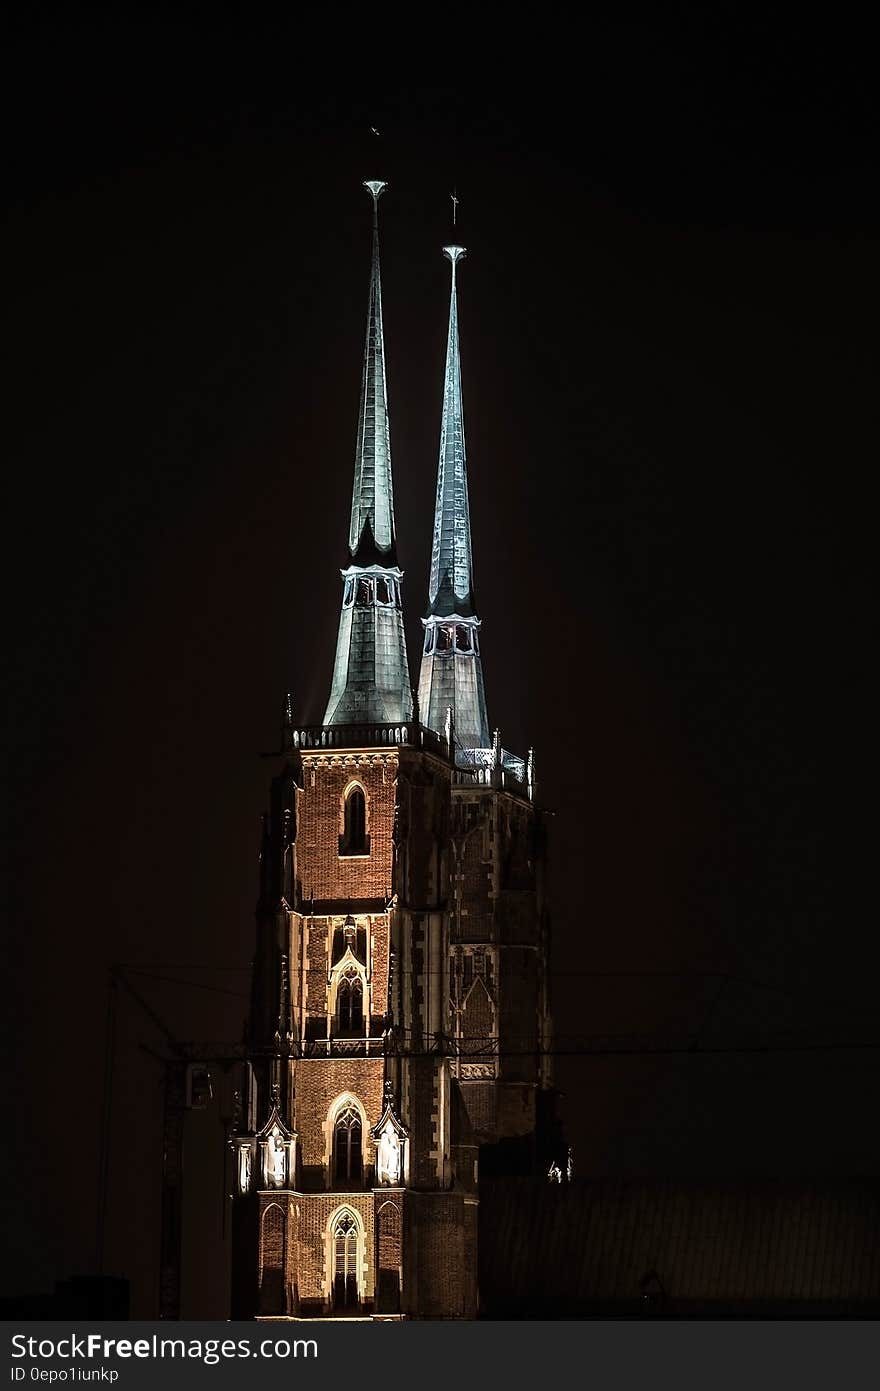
451	666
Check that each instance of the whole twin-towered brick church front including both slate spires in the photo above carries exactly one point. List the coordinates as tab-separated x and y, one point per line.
400	1018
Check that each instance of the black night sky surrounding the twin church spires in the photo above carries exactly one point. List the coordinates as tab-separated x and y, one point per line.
669	350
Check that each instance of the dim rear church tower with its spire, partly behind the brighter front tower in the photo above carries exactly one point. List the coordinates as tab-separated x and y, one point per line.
498	928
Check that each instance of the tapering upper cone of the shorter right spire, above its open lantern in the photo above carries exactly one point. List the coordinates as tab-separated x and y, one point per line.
451	582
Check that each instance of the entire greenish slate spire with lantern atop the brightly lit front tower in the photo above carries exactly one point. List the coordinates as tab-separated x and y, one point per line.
372	680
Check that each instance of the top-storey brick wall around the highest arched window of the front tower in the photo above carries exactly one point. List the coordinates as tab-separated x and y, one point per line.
322	871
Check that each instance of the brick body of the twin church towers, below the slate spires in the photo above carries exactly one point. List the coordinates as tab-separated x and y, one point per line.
434	930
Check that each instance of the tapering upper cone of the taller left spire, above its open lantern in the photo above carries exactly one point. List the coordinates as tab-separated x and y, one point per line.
372	533
